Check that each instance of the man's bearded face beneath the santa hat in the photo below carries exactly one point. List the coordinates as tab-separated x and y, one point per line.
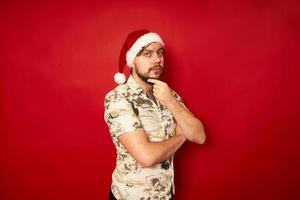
150	63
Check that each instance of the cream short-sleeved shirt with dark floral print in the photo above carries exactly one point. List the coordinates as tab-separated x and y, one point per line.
128	108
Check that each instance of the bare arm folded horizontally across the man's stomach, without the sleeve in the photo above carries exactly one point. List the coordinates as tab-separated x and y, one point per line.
149	153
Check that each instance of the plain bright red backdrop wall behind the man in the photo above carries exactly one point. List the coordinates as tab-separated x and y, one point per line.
235	63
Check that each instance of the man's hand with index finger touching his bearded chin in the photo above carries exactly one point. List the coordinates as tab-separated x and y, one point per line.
161	91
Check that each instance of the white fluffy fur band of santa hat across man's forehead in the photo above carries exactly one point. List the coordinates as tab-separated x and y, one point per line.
139	44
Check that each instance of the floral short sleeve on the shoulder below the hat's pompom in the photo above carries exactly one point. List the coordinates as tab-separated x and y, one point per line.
119	115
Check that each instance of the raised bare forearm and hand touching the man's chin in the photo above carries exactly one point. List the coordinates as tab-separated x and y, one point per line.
191	127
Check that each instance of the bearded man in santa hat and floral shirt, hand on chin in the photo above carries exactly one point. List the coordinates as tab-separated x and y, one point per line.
148	122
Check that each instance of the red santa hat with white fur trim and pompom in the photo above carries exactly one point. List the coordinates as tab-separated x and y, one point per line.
134	42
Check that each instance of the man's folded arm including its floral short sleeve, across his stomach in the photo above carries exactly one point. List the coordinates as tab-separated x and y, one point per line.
125	126
